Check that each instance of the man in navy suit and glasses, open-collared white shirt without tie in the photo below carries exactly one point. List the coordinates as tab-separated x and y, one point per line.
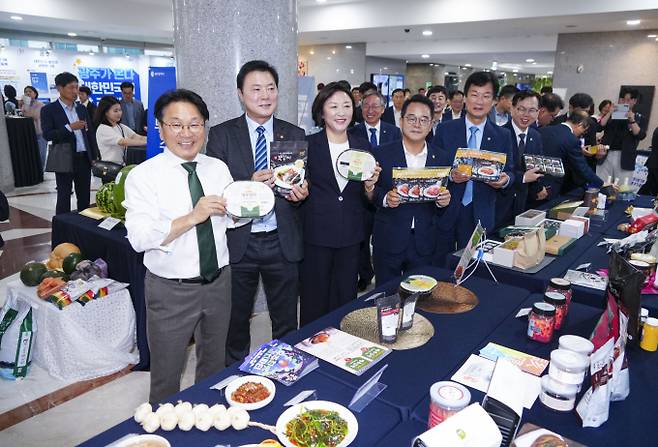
405	234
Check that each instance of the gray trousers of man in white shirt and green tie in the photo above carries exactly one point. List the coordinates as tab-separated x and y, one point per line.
174	313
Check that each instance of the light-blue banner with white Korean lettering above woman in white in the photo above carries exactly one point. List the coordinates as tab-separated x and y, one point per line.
107	81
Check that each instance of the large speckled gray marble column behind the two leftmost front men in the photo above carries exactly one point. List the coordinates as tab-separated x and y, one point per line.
213	38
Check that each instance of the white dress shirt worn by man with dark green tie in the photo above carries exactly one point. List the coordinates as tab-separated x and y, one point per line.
157	193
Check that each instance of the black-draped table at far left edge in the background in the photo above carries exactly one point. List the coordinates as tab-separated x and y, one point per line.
24	150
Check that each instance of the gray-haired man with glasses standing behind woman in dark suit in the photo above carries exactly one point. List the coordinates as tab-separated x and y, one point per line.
378	133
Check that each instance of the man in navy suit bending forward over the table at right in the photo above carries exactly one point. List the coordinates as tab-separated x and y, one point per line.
563	140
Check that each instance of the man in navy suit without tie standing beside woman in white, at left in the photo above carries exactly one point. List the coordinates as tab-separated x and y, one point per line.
64	121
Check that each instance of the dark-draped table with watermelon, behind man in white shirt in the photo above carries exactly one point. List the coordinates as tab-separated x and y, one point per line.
124	264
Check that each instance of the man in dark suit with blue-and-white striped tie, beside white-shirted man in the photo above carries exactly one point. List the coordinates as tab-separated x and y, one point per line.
269	248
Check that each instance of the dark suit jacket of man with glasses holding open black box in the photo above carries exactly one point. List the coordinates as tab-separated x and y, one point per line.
533	145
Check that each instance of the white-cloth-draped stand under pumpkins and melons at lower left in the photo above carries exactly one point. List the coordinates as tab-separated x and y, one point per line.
81	342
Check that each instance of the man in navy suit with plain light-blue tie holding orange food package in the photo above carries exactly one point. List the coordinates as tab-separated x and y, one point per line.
472	201
